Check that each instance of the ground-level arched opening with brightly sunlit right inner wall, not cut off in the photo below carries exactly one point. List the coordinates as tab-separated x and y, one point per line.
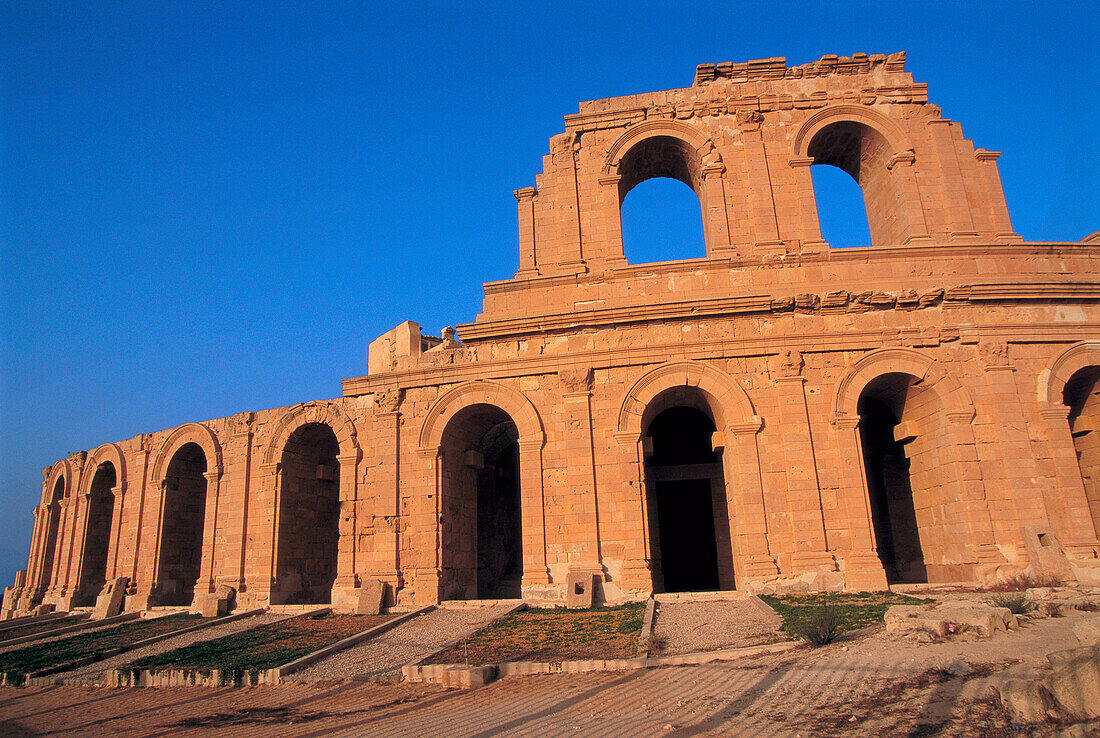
909	473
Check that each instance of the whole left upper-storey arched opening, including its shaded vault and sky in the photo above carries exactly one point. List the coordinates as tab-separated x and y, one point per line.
663	223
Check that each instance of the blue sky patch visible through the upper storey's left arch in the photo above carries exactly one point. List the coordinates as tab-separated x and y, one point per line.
662	223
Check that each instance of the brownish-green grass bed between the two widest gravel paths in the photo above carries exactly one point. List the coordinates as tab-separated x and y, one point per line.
553	635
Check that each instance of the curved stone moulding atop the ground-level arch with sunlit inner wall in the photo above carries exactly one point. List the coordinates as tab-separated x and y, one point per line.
955	398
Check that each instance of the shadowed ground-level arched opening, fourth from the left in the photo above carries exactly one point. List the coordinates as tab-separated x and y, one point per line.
310	517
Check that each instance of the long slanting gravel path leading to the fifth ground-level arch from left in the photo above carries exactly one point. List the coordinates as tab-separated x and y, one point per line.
382	658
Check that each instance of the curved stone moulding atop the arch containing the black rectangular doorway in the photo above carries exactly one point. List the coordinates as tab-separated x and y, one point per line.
731	403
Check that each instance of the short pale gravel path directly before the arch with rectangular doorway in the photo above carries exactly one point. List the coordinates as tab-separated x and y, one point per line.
707	626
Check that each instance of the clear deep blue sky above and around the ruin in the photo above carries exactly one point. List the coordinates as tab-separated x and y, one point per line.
208	210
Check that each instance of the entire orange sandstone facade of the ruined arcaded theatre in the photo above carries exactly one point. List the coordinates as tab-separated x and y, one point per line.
778	415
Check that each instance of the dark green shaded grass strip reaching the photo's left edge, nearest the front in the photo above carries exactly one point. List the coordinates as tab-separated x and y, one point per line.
19	664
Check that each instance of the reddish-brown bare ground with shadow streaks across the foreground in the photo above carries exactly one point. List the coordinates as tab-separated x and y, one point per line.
876	685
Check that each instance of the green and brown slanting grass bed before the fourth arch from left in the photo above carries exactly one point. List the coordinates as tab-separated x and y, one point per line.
262	648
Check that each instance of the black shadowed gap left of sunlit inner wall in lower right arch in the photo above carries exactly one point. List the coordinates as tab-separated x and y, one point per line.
889	484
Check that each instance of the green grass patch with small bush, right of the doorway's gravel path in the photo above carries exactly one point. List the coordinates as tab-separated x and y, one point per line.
850	610
